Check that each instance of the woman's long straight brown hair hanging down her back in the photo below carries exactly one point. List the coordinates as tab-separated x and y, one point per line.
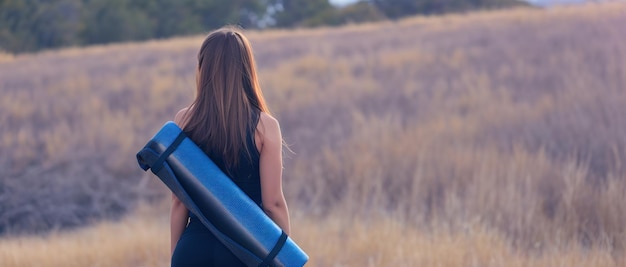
228	96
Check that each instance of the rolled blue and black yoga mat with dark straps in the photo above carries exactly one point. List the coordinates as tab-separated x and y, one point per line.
217	201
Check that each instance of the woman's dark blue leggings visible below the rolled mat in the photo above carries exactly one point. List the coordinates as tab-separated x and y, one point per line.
197	246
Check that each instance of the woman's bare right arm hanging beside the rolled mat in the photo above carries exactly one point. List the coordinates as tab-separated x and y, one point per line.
271	170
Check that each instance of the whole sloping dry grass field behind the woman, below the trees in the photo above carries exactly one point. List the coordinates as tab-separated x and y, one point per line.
481	139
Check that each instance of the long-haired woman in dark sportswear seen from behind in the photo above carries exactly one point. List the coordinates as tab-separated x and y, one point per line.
230	121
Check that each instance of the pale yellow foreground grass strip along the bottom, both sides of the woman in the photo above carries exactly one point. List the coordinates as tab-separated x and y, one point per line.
142	239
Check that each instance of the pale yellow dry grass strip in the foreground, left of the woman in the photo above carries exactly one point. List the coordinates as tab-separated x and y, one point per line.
136	241
